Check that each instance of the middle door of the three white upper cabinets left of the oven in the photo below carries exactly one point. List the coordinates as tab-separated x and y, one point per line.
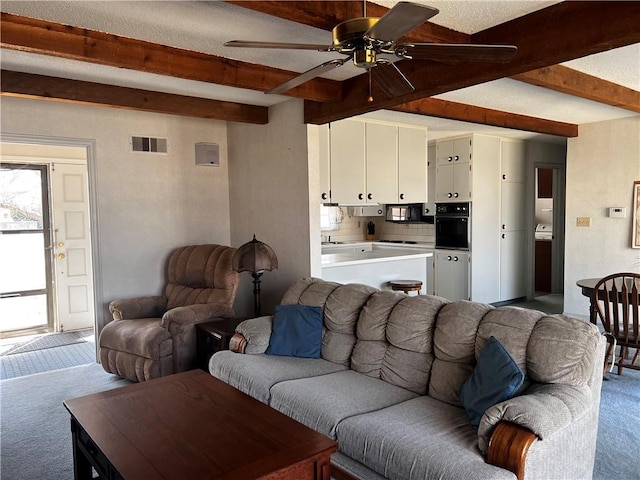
382	163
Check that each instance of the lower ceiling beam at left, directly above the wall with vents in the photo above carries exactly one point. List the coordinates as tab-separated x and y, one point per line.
27	85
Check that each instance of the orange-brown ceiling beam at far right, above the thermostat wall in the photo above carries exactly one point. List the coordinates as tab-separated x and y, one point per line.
572	82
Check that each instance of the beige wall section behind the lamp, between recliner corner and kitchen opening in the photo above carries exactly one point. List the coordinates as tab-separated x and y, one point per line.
269	192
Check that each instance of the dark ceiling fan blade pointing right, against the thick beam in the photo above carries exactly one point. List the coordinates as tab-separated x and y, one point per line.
452	53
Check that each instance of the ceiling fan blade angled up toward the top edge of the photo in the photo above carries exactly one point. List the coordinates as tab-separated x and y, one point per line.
402	18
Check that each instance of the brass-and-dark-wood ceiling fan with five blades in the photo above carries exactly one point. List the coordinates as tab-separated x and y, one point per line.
363	40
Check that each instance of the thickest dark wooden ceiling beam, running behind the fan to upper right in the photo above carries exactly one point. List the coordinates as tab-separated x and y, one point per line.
543	38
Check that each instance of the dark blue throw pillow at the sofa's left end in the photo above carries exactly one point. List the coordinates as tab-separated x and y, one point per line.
296	332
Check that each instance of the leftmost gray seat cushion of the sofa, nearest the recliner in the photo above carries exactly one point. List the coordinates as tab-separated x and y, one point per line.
256	374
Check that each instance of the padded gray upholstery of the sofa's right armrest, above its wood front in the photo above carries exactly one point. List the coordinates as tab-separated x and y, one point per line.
544	409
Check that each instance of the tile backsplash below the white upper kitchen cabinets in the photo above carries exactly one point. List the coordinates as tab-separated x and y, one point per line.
355	229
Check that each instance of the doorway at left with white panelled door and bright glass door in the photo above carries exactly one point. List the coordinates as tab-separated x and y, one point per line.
46	240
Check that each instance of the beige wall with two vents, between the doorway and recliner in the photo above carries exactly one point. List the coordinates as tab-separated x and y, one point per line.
146	204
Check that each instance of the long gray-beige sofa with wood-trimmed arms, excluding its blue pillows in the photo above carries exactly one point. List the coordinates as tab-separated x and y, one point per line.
387	385
